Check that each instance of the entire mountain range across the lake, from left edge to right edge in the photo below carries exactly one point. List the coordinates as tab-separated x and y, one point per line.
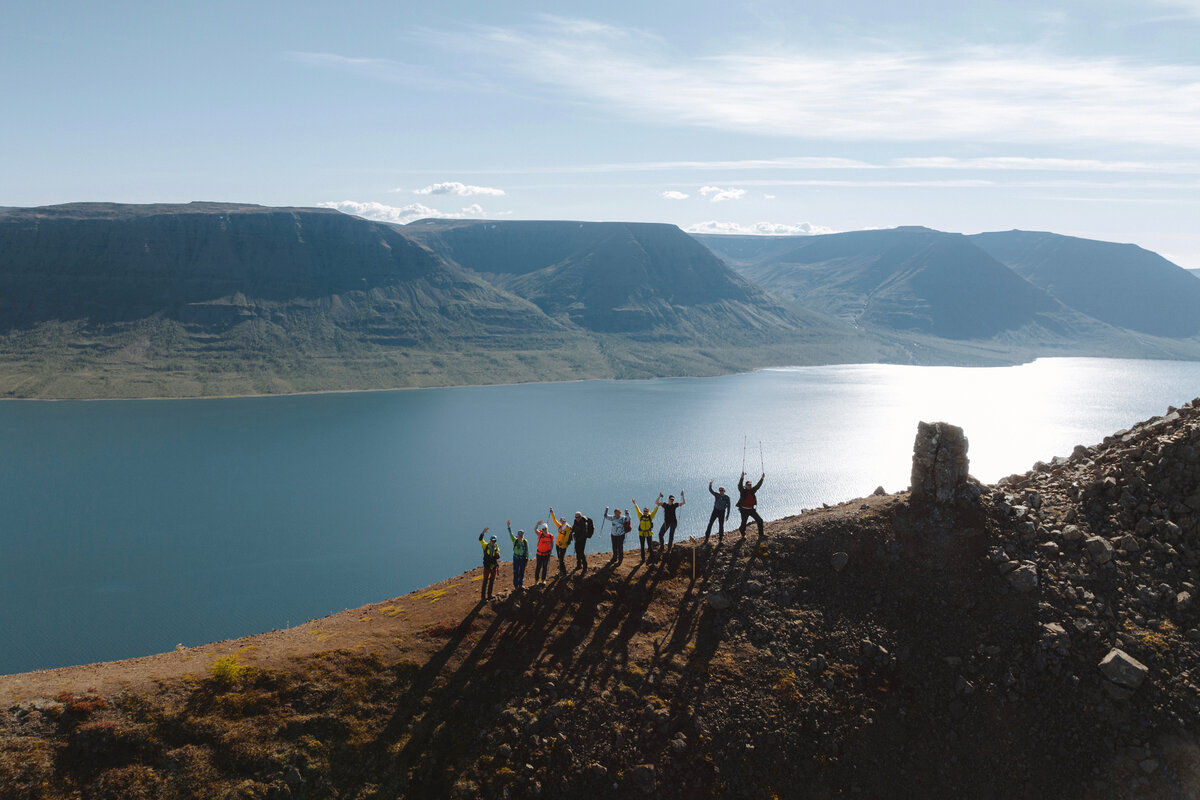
118	300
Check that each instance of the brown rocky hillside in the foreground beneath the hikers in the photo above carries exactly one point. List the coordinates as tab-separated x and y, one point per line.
1033	640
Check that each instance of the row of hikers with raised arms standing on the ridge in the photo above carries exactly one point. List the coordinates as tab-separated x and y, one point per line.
580	530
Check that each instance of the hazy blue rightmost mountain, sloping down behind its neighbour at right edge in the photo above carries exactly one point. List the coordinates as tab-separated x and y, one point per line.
1121	285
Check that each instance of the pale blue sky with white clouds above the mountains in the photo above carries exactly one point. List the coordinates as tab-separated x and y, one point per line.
764	117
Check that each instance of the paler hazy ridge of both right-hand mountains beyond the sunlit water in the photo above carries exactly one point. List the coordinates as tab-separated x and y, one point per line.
980	287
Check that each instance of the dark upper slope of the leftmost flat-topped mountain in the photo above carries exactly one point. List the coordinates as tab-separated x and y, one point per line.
215	266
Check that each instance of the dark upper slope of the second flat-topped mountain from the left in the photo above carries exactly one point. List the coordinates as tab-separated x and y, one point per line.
614	278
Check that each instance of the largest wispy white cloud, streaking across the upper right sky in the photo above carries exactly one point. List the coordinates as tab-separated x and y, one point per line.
1015	95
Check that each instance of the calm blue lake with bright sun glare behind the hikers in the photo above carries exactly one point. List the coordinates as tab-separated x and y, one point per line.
133	526
